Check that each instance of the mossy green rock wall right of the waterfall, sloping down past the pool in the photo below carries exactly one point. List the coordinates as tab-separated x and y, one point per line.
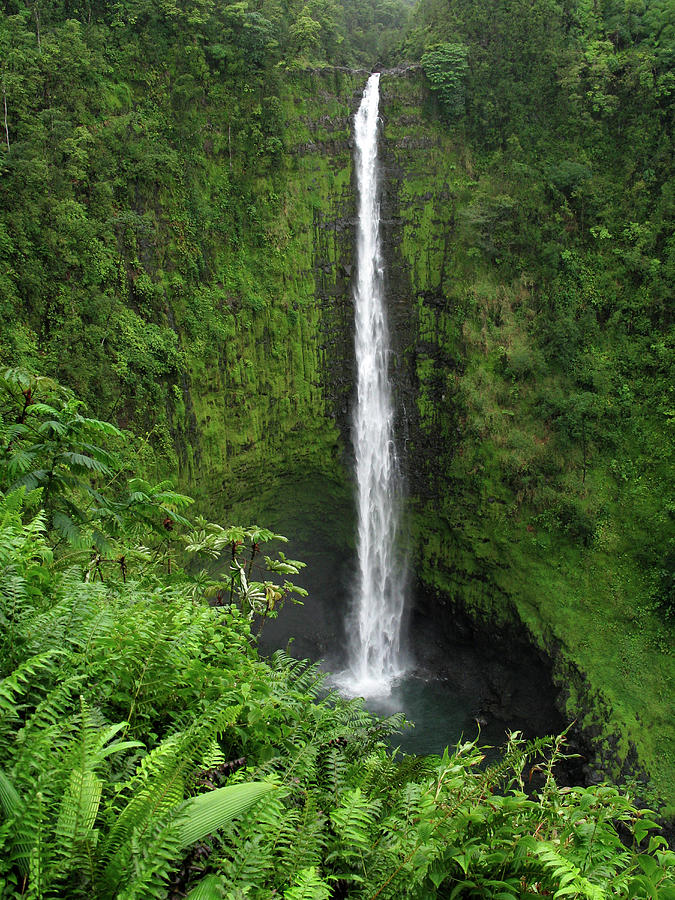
485	468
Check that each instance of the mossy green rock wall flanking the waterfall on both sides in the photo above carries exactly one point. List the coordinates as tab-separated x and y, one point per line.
269	411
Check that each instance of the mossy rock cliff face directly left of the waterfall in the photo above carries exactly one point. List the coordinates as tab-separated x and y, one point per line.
271	400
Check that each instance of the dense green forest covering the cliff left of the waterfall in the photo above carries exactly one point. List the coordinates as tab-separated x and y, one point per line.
149	208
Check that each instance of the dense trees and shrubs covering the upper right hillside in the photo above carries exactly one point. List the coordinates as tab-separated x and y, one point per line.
563	232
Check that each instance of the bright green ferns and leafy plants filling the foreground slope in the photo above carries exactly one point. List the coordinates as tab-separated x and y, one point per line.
147	751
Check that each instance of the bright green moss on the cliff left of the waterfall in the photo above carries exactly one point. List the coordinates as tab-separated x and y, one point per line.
257	392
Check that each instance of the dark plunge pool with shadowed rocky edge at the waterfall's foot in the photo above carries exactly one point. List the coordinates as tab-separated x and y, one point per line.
451	692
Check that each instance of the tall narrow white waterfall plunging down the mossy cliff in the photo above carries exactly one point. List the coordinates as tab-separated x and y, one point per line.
375	624
